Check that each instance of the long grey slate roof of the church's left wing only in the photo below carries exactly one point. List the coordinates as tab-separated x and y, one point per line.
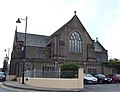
33	39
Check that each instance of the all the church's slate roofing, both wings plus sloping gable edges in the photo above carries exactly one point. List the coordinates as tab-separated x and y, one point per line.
43	41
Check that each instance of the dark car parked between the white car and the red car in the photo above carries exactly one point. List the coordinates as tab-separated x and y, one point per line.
102	78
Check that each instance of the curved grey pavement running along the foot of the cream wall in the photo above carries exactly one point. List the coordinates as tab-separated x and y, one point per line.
18	85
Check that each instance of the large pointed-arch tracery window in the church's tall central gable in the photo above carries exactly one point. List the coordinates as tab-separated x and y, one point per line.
75	43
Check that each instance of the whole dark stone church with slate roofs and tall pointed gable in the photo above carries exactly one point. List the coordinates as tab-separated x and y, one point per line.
70	43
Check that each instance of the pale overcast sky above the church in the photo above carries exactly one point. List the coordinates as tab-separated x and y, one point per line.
101	18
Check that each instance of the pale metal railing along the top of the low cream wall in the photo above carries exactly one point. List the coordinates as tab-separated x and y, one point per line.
51	74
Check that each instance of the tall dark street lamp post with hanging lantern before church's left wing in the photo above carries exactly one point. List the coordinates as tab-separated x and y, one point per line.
18	21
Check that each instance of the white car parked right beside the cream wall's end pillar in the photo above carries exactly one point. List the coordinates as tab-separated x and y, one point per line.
88	78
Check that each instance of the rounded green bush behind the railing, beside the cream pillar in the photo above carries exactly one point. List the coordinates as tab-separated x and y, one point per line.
69	70
